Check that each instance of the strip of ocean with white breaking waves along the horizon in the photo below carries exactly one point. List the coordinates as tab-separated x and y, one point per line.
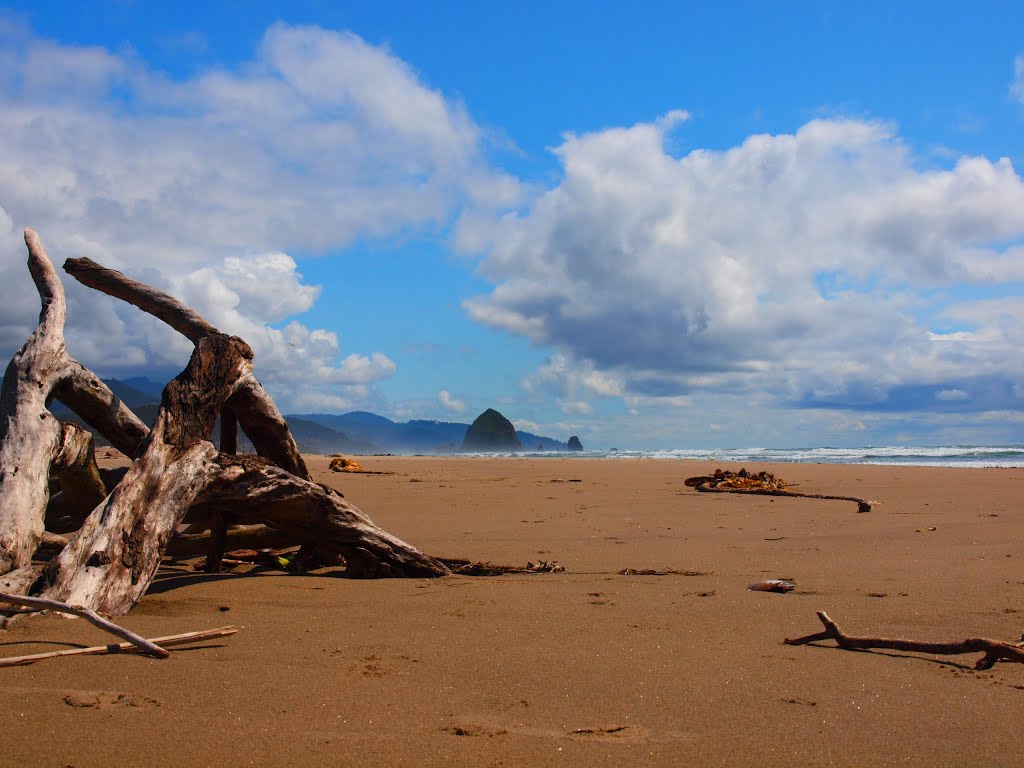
942	456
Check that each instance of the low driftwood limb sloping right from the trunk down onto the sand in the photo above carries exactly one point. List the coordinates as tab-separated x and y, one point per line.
260	492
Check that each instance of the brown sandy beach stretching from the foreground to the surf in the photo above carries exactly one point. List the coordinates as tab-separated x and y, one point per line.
586	668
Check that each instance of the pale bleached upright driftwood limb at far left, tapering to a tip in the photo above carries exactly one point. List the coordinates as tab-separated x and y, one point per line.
30	437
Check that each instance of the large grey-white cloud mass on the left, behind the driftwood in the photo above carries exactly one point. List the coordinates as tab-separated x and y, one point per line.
204	186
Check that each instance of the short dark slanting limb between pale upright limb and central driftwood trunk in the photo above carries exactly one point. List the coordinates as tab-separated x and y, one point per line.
87	395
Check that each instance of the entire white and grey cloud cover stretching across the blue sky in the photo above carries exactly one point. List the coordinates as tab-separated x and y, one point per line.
830	270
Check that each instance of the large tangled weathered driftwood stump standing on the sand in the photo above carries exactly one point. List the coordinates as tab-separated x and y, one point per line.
111	562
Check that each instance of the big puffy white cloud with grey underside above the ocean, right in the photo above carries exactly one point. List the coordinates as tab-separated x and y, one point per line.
820	269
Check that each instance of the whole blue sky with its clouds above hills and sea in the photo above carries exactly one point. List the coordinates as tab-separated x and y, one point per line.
653	225
